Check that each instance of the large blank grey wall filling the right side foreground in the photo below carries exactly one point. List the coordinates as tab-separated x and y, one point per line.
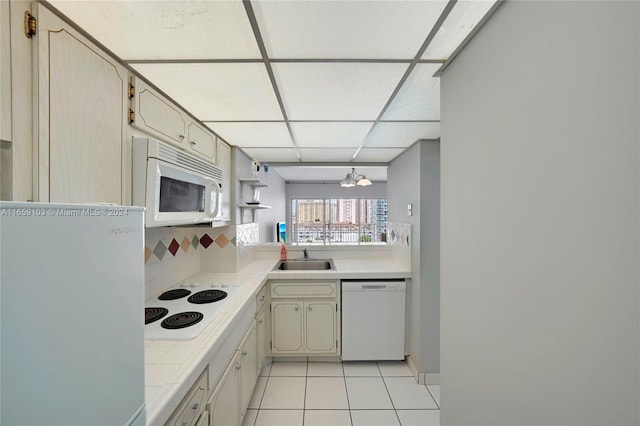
540	232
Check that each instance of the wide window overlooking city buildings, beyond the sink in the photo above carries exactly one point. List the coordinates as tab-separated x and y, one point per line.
339	221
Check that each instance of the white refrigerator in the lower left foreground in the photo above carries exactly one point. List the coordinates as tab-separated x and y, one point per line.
72	336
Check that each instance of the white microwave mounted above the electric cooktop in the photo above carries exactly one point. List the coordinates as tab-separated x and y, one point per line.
175	187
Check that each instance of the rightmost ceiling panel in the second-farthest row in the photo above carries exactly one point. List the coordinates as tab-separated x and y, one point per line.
401	135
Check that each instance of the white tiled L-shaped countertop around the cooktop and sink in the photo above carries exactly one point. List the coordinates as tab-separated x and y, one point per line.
172	366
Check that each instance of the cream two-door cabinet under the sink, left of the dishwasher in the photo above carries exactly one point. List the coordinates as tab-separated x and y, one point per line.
305	318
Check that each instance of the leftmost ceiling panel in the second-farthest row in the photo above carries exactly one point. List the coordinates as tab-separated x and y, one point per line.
253	134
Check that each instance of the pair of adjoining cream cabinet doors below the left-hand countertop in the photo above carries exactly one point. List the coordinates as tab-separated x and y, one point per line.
230	399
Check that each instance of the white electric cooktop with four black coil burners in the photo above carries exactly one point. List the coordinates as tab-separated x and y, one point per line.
184	311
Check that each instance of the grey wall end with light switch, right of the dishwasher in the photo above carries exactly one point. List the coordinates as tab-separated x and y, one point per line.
414	178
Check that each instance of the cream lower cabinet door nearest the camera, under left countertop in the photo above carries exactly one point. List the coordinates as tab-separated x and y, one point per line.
224	407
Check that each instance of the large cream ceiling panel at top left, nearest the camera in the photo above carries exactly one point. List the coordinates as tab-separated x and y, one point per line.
166	29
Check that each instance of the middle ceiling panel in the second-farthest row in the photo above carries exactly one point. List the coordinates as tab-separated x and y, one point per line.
330	134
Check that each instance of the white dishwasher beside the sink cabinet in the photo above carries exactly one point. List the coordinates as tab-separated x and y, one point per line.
373	320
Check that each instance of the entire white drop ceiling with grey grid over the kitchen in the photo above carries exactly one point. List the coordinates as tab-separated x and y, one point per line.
293	81
